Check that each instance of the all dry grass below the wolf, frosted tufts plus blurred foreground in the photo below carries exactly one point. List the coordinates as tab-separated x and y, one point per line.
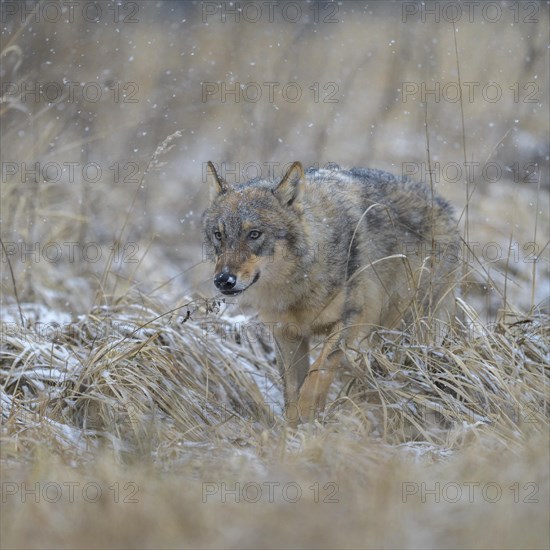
126	400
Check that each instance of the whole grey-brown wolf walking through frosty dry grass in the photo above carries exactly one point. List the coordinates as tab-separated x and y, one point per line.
330	252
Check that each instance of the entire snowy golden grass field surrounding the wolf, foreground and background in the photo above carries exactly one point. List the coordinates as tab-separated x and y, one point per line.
139	410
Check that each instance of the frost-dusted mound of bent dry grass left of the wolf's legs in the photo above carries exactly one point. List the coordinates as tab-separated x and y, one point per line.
132	377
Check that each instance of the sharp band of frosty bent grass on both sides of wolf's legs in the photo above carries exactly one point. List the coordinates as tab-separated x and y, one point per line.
135	379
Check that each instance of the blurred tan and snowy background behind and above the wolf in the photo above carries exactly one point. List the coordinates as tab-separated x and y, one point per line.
110	111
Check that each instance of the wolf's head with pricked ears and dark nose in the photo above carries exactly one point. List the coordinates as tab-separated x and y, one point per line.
251	227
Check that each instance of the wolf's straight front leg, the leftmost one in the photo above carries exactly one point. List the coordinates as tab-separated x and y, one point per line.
293	362
